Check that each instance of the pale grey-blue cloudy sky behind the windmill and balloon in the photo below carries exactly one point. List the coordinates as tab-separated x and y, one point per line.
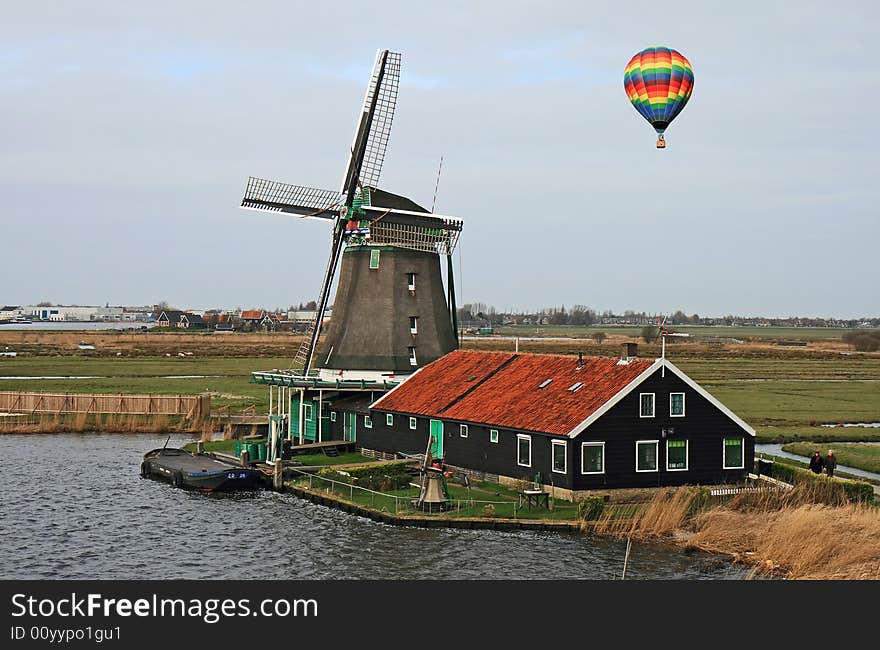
129	131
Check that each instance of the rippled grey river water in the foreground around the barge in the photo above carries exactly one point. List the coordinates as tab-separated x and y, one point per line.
74	507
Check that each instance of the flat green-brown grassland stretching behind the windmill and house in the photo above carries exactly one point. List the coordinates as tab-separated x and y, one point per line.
785	393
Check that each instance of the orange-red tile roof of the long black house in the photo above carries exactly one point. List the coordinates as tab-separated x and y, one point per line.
502	389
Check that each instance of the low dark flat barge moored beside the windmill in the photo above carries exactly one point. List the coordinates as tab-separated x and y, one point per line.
204	472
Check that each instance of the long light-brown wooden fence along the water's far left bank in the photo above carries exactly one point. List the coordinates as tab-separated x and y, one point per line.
196	407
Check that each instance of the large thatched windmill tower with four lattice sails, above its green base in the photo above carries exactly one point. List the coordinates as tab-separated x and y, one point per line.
390	314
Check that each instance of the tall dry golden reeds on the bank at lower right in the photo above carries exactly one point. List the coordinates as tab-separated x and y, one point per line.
809	532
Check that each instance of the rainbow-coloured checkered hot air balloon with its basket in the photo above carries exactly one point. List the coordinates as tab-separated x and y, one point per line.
659	82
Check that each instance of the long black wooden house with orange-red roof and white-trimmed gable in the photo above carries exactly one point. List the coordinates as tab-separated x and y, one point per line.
573	424
